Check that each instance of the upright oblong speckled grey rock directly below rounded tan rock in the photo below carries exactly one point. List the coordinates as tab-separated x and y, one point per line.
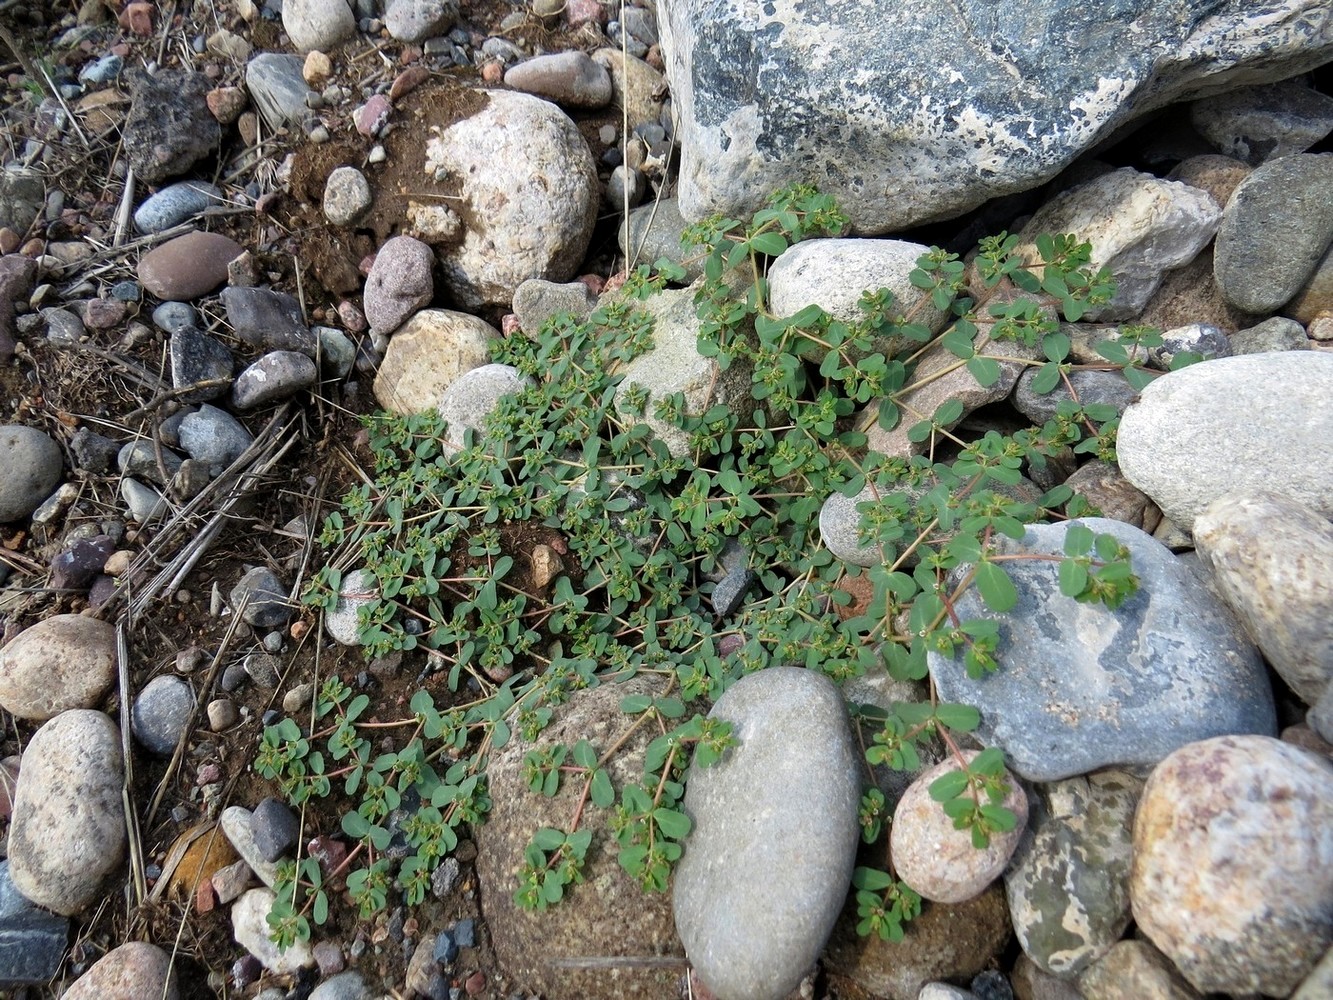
69	829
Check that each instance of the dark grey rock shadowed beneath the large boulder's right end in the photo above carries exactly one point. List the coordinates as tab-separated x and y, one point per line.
1263	123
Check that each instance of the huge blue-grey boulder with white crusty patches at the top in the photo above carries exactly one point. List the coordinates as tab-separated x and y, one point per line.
919	111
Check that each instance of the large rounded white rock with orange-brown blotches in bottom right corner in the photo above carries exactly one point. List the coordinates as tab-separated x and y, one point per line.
1234	863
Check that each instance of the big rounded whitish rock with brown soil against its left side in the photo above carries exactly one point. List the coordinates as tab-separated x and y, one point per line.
533	181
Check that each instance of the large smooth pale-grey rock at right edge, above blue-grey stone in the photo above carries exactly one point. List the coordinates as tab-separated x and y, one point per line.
1258	422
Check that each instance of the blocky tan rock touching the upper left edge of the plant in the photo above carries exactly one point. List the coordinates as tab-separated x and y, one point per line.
427	355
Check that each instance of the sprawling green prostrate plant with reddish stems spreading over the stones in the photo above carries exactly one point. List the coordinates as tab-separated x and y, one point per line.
637	538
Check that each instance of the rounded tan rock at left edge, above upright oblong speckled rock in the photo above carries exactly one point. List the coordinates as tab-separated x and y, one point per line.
65	662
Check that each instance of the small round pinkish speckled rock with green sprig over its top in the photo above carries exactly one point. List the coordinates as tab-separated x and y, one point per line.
940	862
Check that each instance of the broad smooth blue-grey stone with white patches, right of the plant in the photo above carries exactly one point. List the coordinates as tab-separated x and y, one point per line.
1083	687
